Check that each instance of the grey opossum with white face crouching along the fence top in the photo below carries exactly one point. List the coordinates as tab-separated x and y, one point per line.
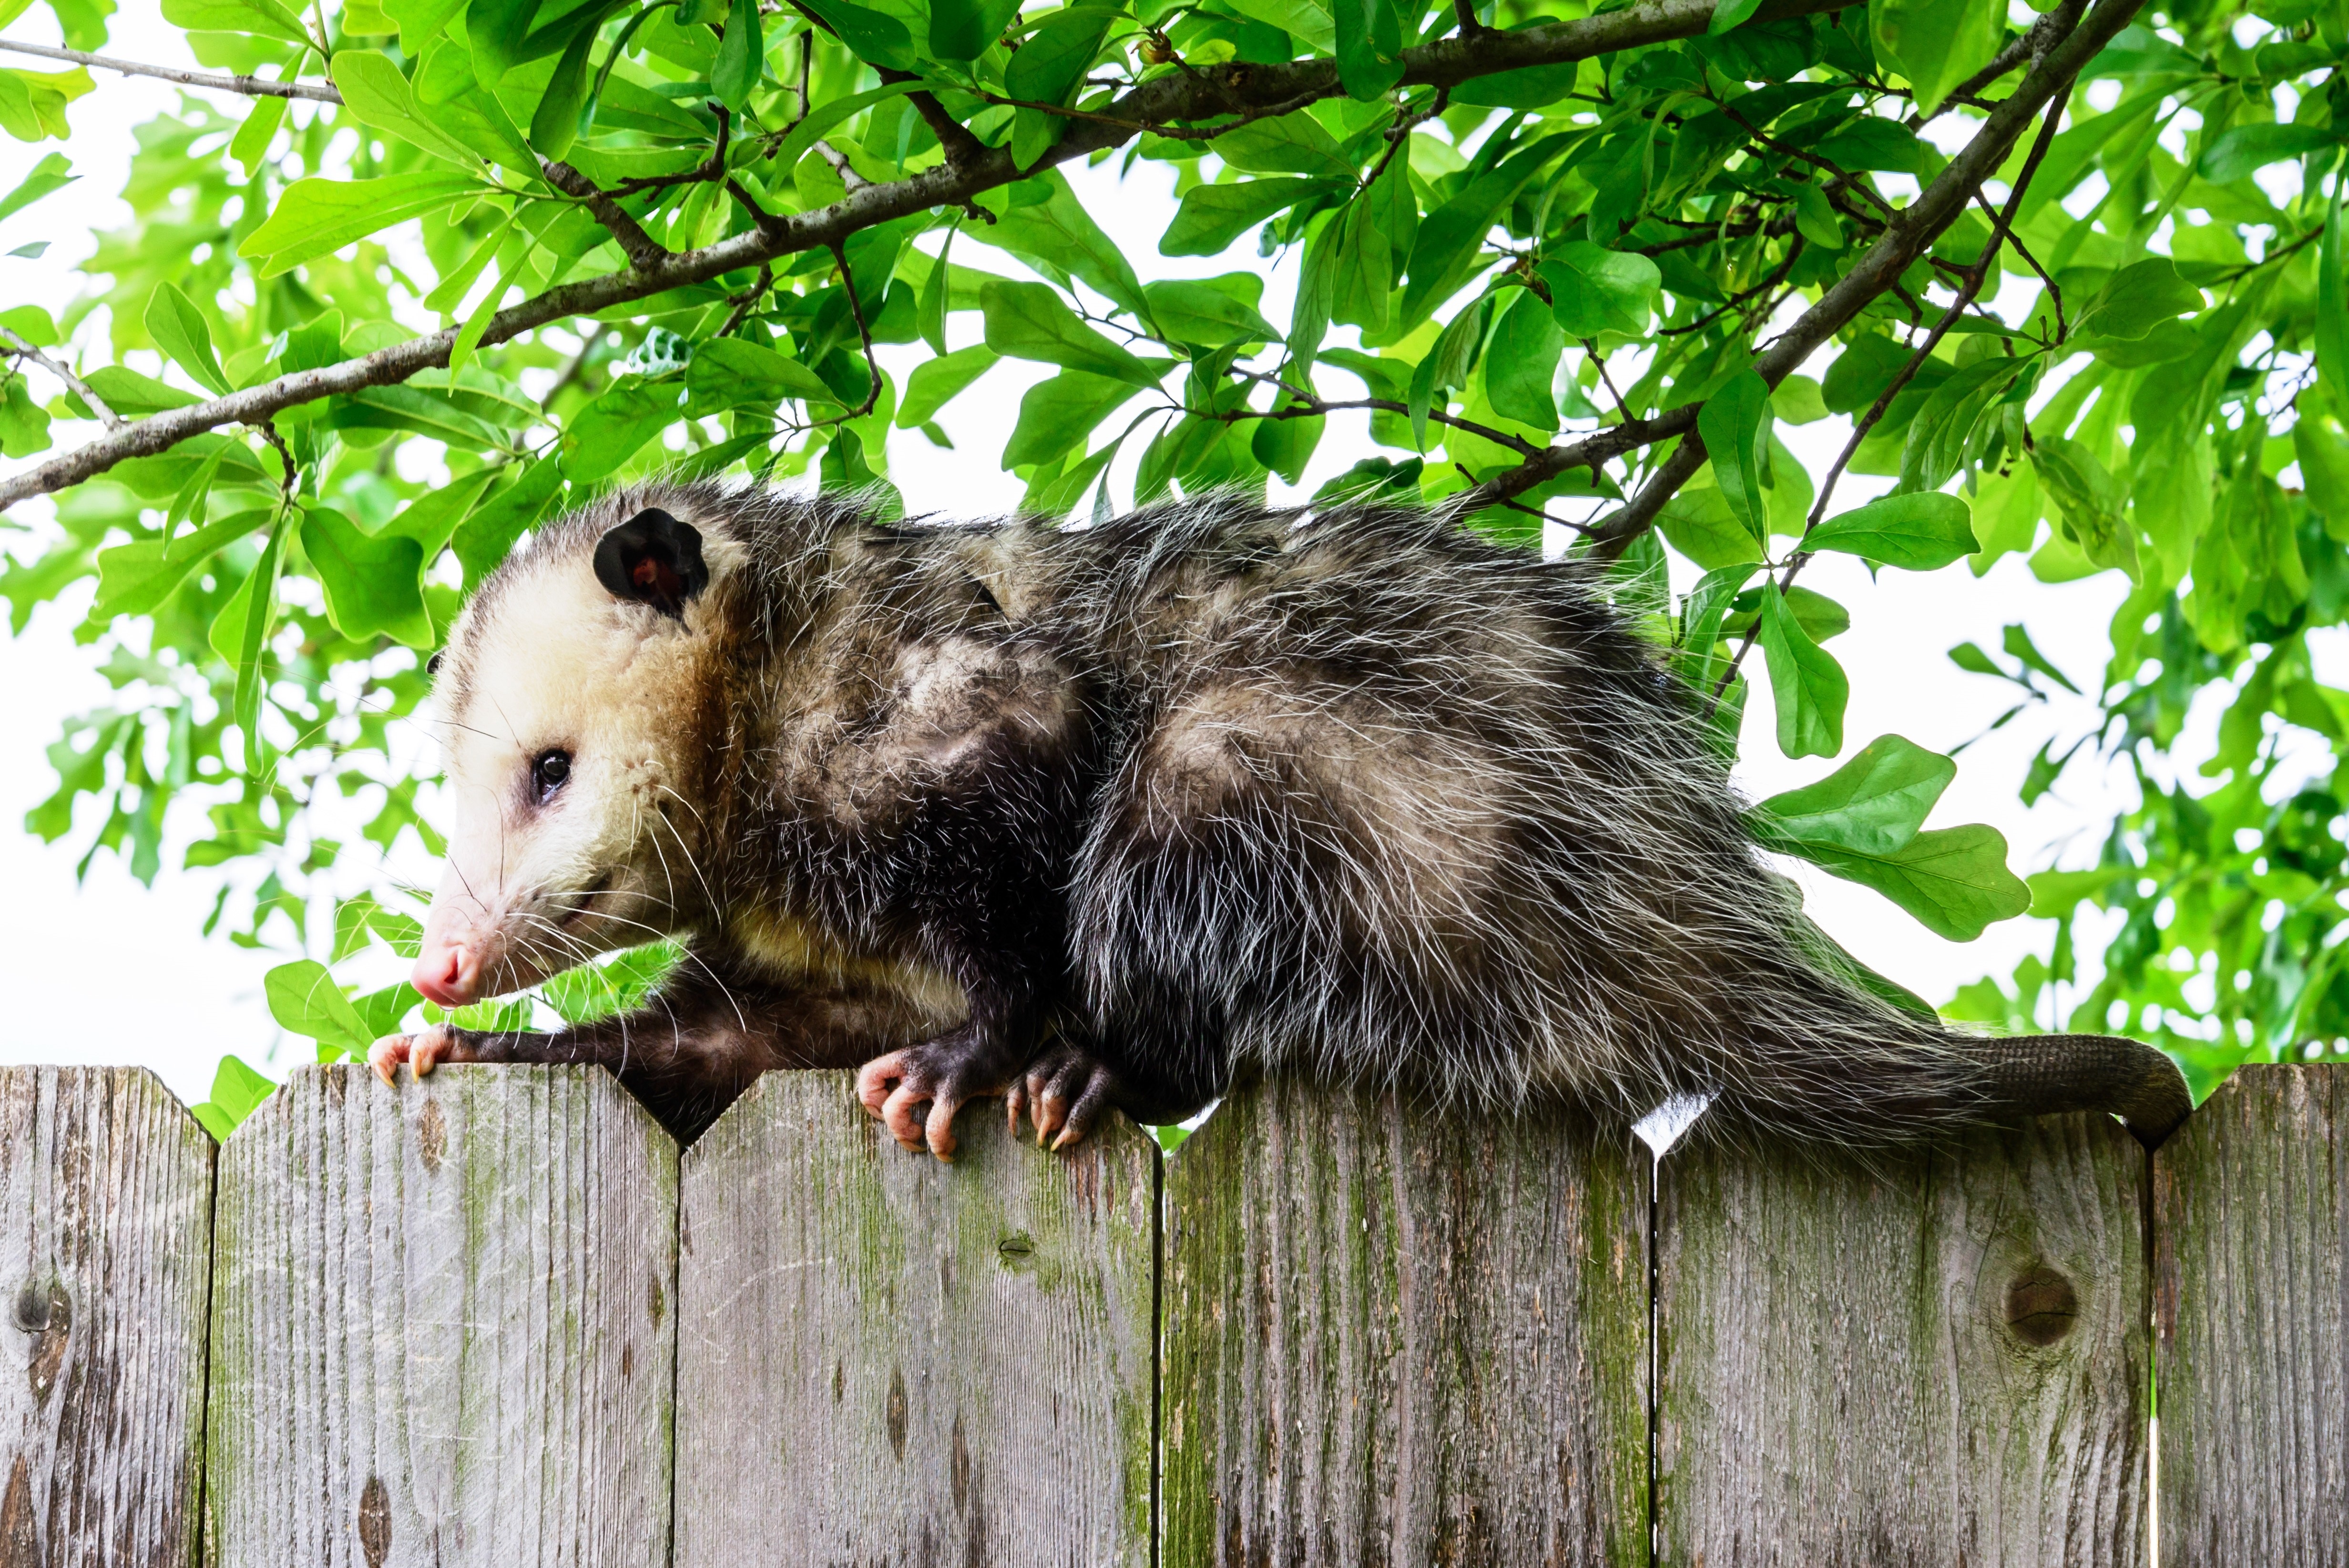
1105	816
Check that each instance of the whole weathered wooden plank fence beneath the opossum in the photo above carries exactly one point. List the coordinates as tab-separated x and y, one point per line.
494	1318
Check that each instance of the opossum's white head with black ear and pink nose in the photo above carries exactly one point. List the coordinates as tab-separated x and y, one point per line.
574	708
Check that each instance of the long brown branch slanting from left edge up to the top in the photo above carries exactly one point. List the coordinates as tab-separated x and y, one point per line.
1169	100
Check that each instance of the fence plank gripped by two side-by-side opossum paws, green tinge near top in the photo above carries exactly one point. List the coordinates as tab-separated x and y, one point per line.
891	1360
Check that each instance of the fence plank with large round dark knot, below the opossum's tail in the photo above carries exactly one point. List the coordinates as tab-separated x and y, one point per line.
1930	1358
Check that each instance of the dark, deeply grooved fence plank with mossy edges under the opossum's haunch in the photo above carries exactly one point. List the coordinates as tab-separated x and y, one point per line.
1399	1337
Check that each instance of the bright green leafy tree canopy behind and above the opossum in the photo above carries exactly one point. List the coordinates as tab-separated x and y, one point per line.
2078	278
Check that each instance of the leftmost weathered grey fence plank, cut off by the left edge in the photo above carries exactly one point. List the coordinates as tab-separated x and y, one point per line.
105	1271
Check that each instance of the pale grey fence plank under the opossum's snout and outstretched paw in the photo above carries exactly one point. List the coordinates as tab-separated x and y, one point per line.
443	1323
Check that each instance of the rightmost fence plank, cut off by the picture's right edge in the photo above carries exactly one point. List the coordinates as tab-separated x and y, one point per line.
2252	1290
